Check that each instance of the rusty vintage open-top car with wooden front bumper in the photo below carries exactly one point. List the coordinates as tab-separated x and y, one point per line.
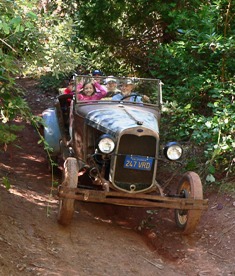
111	152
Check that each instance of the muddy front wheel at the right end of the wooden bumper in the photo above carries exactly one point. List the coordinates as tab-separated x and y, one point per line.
190	186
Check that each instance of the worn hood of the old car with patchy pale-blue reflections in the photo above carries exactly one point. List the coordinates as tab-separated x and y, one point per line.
114	120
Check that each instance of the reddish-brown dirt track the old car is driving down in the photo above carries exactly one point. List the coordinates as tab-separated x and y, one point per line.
102	239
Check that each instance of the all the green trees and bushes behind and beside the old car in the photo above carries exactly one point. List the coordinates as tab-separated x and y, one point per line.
189	45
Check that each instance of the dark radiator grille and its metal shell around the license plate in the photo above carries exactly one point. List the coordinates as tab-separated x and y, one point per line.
144	144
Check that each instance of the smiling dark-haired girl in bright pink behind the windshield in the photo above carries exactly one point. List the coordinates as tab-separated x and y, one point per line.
91	91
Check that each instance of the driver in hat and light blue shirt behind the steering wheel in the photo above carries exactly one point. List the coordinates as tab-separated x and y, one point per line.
127	91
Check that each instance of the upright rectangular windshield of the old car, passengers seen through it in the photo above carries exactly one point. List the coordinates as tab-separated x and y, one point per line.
124	89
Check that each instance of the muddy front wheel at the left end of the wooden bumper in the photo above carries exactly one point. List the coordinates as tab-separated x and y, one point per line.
66	206
